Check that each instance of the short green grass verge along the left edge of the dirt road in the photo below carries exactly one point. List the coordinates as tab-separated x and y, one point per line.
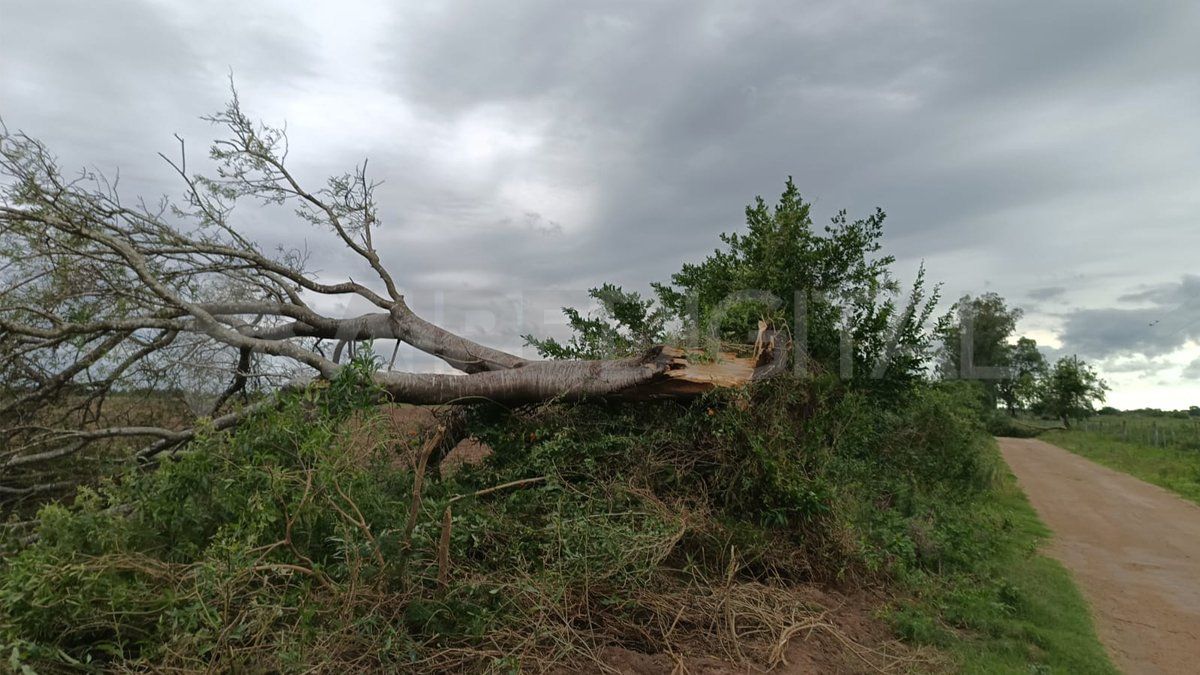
1010	610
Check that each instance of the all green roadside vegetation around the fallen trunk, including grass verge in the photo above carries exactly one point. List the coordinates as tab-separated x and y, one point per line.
302	540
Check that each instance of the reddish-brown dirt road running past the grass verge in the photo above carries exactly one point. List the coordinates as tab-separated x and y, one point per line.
1133	548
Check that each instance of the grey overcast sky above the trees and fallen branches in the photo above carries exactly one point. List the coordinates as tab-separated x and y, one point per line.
1049	152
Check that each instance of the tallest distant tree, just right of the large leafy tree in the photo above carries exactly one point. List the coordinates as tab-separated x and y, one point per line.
976	339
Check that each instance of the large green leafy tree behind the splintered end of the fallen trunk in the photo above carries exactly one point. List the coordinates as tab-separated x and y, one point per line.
827	286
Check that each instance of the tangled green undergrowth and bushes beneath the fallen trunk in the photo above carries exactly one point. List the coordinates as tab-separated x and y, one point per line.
274	548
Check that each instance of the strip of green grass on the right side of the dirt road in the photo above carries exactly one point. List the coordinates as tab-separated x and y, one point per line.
1172	468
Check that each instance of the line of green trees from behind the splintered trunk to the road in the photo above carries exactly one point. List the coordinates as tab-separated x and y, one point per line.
833	292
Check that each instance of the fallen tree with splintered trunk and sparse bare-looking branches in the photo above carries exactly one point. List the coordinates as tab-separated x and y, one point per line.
101	297
